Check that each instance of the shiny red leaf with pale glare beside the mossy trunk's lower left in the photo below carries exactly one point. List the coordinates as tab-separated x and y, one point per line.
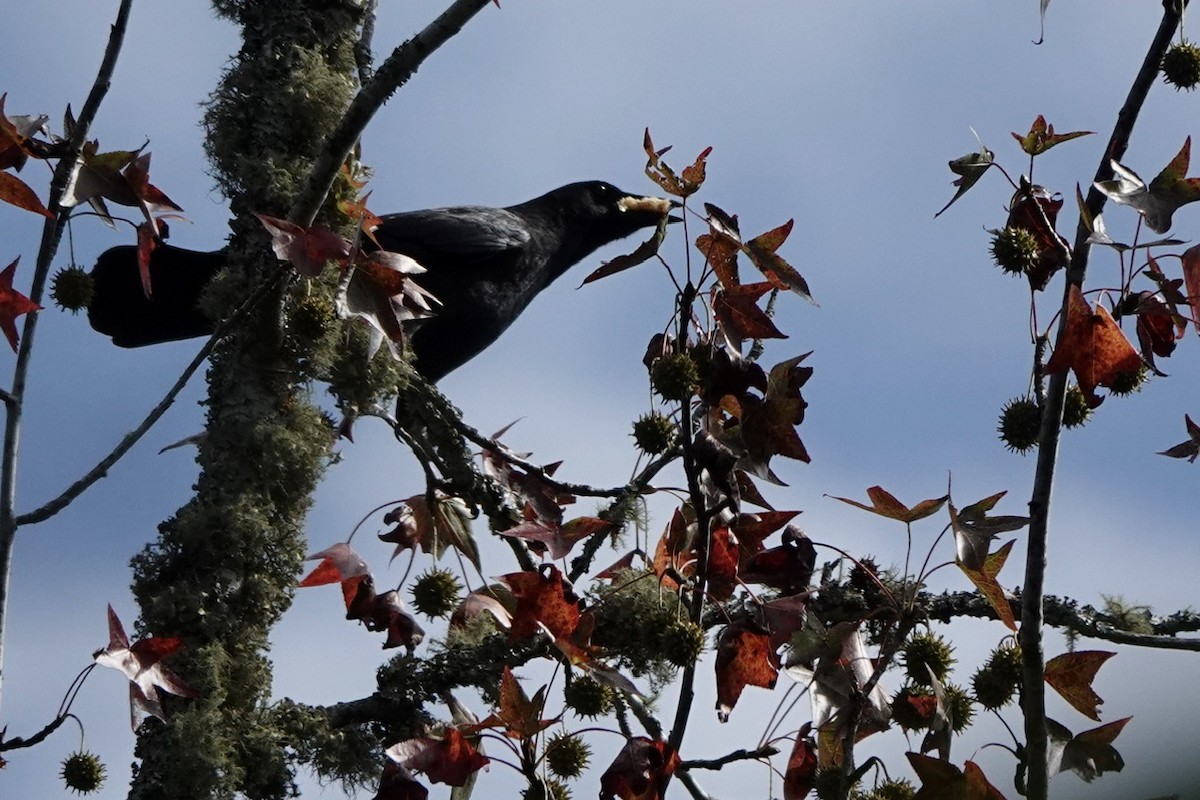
142	664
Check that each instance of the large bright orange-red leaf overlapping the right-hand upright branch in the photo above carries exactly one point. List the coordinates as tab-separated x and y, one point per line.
1094	347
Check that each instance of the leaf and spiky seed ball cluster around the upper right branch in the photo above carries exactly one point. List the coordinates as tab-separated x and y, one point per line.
1093	345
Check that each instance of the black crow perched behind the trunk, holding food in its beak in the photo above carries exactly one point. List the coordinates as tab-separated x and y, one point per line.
483	264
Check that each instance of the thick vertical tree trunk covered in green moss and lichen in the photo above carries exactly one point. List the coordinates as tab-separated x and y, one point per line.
223	570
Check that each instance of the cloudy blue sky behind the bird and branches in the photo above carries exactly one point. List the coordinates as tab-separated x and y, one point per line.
842	116
